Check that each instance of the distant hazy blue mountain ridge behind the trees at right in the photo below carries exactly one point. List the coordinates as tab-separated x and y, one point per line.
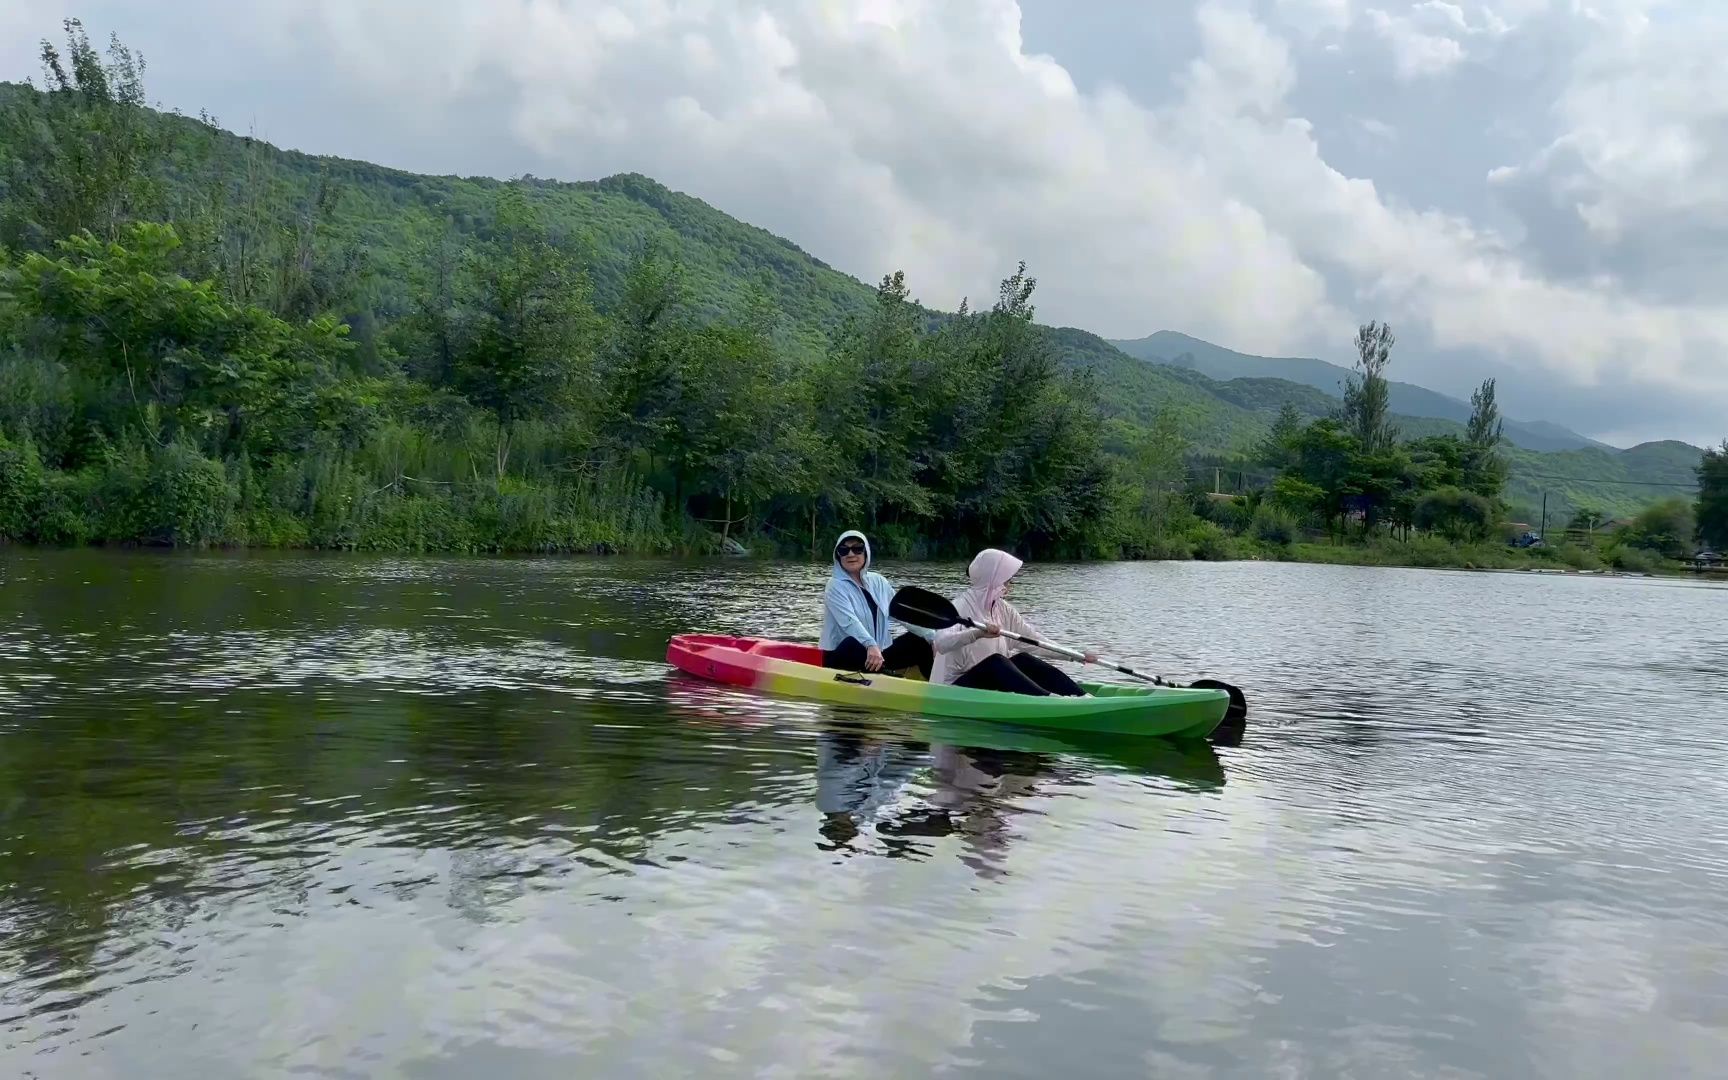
1216	362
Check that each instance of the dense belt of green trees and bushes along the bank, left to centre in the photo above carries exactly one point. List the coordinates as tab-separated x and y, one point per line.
146	407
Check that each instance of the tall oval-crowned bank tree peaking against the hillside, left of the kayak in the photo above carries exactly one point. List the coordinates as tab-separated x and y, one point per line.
531	343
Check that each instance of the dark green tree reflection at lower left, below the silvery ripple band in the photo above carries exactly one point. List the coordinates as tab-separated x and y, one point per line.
120	827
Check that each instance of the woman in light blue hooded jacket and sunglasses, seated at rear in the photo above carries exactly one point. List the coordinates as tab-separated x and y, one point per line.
856	618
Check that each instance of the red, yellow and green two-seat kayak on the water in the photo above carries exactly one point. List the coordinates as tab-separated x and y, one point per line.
792	670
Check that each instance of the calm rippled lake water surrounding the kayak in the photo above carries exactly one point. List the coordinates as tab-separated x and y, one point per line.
274	816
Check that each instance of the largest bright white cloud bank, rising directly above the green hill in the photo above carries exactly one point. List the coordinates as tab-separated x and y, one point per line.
908	136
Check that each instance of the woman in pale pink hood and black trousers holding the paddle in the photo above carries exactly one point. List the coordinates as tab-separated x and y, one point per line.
981	658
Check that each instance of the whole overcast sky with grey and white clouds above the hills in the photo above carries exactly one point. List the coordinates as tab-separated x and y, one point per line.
1528	189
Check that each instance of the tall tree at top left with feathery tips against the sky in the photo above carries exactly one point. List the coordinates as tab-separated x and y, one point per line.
82	155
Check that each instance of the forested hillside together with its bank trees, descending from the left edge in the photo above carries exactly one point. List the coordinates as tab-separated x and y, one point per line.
208	340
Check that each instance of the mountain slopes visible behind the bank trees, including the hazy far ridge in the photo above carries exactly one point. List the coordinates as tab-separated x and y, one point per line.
378	226
